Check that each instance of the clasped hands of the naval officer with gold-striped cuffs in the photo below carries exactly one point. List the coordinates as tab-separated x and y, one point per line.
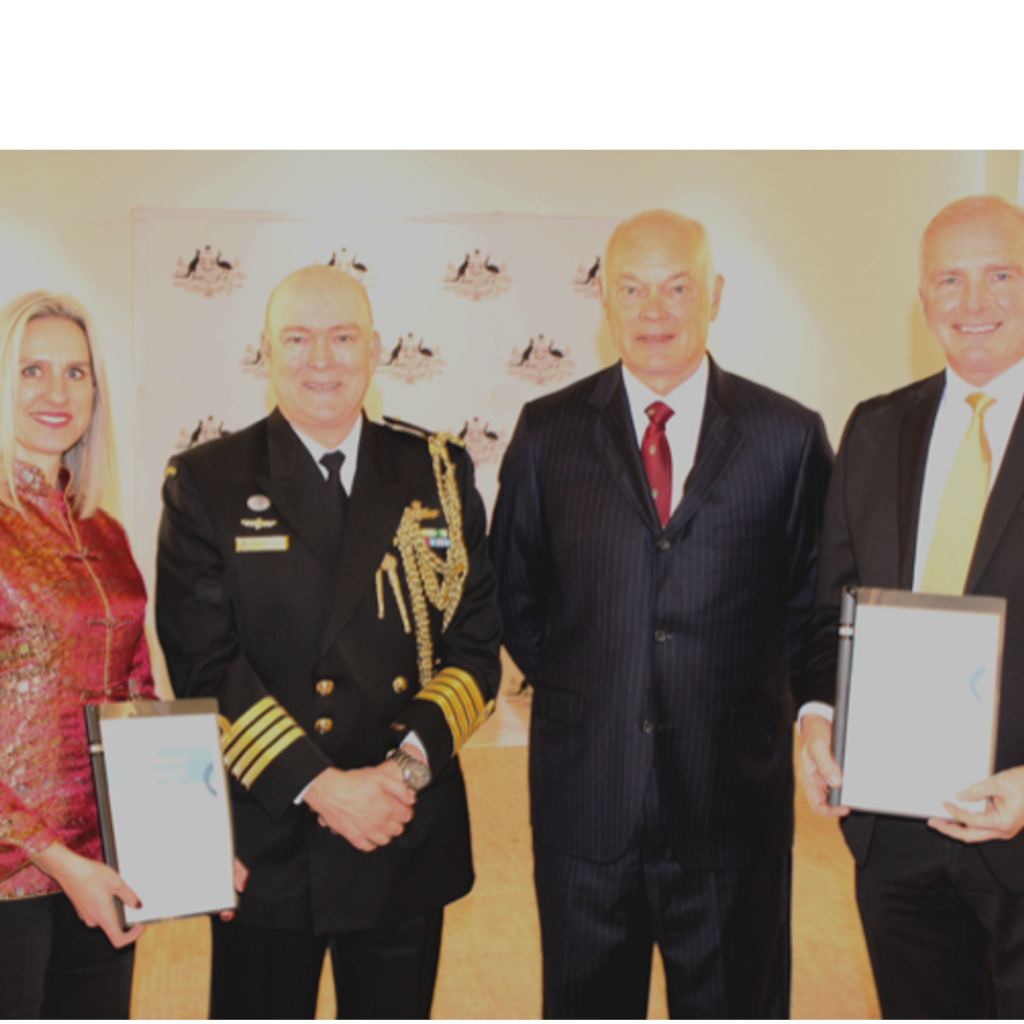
367	806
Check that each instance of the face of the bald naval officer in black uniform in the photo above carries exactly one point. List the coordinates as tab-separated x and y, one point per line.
323	351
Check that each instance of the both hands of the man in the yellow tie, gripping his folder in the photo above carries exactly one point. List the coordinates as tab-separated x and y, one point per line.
1004	792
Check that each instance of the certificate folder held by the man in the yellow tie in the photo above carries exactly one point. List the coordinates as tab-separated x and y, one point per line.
918	699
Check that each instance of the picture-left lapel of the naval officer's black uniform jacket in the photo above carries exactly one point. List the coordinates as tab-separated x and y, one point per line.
292	487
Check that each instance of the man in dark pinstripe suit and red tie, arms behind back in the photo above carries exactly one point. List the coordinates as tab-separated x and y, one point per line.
656	539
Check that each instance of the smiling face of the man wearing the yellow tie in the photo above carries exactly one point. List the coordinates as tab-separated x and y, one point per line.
972	287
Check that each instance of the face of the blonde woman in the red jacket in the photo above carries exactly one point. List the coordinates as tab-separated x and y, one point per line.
56	393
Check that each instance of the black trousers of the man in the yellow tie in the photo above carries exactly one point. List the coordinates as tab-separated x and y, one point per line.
945	936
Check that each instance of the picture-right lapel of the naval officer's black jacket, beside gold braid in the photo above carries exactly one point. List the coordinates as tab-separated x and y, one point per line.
375	509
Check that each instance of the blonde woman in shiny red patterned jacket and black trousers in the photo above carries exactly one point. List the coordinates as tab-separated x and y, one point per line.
72	605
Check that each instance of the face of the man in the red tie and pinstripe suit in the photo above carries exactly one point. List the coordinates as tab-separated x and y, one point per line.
660	297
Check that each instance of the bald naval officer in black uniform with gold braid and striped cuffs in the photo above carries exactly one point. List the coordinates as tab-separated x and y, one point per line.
327	579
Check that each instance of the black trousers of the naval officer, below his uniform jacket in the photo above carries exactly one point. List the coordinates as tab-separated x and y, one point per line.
274	974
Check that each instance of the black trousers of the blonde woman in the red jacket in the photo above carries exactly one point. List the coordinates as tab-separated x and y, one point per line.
53	967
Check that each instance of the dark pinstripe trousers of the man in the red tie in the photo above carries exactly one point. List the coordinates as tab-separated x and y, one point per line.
724	935
